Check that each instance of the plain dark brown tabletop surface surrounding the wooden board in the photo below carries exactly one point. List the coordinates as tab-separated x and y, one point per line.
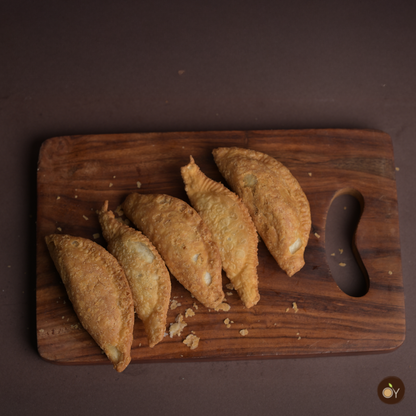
70	68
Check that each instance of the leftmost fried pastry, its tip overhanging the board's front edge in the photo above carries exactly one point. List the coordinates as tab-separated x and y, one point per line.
99	292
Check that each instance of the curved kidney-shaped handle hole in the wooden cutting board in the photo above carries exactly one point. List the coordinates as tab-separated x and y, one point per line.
344	261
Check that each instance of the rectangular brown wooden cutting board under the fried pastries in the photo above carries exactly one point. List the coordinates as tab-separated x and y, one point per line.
76	174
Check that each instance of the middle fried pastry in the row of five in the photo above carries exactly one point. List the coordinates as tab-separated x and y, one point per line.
183	241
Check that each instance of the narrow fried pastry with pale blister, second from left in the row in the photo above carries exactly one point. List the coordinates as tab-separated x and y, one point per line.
145	270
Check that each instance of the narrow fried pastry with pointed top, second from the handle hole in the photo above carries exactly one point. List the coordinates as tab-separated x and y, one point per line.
232	229
